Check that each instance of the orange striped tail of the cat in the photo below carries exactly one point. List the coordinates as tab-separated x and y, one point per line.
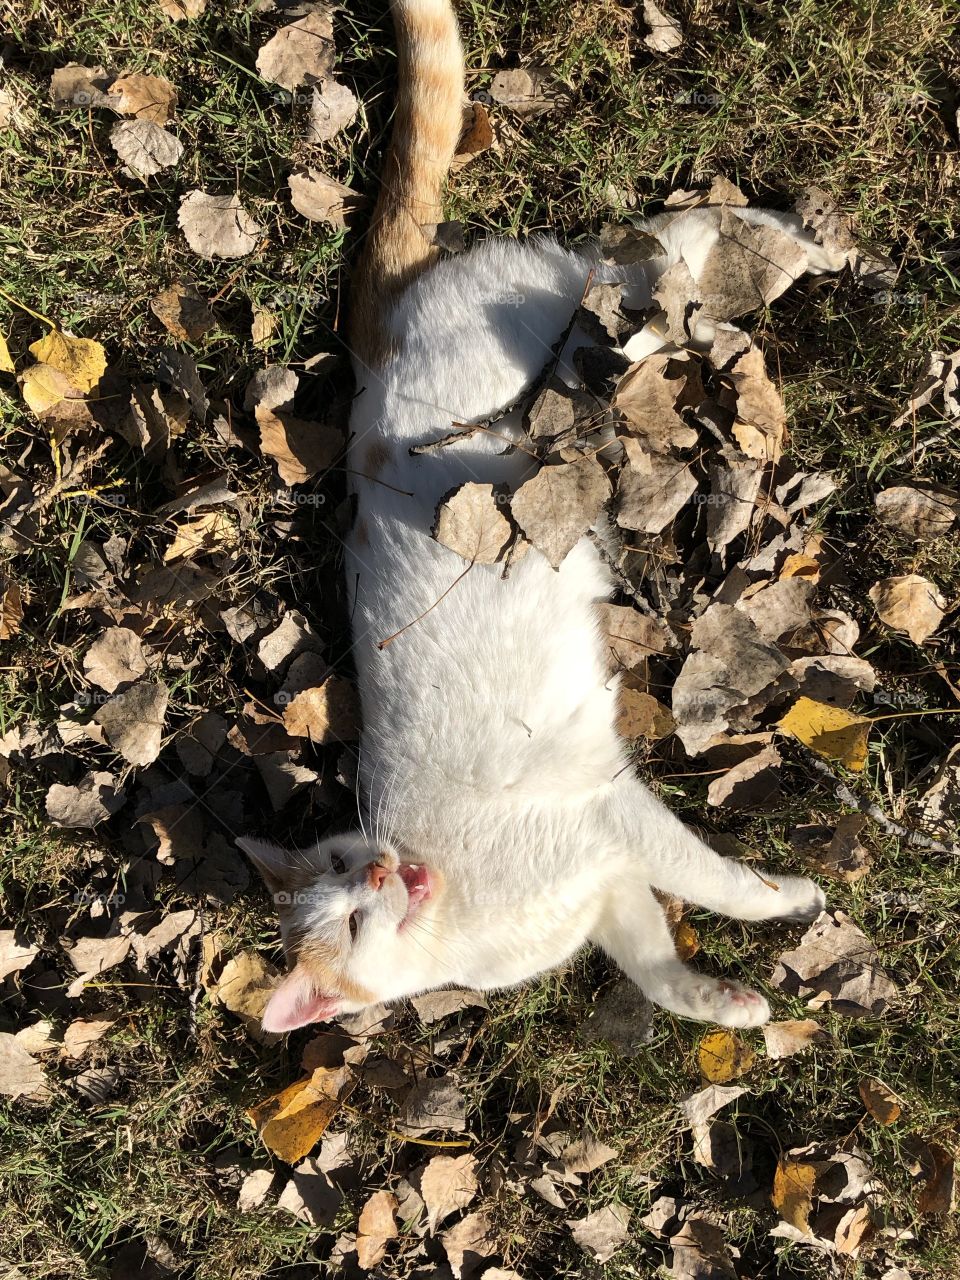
427	126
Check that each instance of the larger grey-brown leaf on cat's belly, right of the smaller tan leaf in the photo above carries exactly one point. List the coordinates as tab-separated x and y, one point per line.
559	505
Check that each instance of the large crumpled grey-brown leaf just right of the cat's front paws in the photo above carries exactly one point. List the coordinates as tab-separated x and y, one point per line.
838	966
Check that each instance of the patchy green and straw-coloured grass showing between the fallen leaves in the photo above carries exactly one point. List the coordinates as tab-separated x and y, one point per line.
852	97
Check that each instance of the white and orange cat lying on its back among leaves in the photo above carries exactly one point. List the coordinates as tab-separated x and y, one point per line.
506	828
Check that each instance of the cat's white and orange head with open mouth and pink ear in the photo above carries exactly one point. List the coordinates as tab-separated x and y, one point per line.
345	907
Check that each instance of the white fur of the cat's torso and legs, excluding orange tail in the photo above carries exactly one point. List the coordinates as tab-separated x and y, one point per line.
490	751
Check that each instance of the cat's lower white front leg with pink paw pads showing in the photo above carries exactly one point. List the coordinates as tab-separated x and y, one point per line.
634	932
